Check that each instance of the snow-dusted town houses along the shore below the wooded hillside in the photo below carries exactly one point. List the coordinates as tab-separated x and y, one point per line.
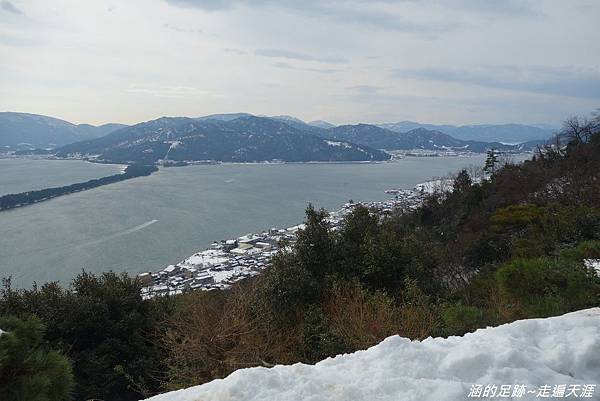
231	260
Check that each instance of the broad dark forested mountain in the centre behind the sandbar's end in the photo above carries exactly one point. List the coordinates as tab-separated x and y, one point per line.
242	139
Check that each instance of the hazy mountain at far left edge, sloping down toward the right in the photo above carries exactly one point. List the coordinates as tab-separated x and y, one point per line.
20	131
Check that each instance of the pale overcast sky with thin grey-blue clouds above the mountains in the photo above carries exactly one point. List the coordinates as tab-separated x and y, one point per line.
432	61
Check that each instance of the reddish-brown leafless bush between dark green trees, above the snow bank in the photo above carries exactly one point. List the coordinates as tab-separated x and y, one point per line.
213	333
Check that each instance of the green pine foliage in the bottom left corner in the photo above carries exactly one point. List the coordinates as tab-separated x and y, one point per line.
28	370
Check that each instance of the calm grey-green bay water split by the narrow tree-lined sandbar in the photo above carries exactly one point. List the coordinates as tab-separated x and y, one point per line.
149	222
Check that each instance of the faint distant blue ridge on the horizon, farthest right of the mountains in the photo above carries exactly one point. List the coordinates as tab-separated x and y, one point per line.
506	133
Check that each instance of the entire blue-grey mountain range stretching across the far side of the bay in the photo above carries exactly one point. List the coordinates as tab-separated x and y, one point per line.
242	137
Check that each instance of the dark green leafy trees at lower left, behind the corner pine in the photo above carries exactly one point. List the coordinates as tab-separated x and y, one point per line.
104	326
